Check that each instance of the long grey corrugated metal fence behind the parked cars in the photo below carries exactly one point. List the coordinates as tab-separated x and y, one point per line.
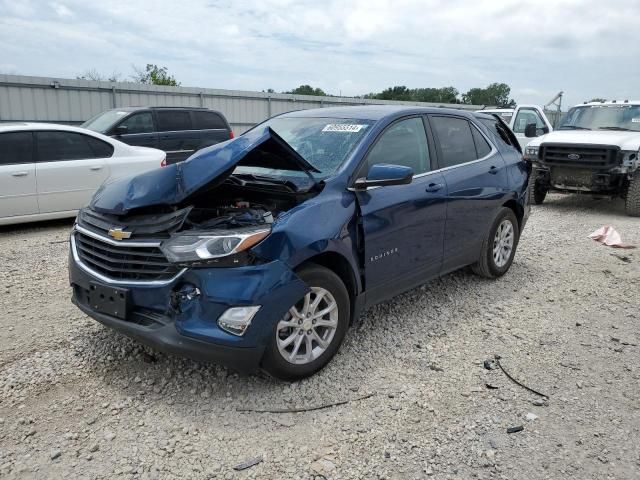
60	100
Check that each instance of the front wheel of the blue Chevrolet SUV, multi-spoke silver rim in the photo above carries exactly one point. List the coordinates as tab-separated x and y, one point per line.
300	364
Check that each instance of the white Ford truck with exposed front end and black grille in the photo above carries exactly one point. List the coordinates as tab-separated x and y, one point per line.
596	149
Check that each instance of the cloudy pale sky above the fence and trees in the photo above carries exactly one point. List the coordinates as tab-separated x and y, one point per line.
588	48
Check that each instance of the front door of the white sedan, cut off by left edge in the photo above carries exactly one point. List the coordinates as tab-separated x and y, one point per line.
18	194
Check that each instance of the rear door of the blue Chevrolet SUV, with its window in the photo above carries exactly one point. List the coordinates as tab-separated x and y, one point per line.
476	178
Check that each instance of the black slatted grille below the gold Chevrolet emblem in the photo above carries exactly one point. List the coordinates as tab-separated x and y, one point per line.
123	262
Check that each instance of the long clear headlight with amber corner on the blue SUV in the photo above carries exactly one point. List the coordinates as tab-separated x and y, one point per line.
198	246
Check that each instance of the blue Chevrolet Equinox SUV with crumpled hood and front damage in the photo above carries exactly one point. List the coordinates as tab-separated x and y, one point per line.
261	251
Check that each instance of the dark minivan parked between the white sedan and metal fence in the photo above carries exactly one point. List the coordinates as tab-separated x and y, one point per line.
177	131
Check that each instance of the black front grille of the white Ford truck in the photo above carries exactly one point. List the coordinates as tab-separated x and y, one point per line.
590	156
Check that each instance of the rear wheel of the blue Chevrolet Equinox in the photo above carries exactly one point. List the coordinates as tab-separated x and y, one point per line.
487	266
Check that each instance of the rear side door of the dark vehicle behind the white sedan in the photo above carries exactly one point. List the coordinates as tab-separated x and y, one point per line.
176	134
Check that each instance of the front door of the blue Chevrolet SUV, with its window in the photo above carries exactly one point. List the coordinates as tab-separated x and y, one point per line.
403	225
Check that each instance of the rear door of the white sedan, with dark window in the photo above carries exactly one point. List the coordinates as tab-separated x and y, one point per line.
70	167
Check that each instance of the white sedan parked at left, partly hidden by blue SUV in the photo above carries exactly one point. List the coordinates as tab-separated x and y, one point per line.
50	171
